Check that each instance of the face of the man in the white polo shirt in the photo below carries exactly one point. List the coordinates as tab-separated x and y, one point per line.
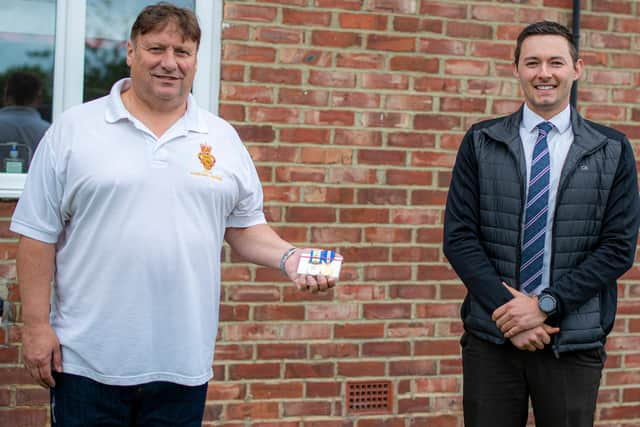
163	64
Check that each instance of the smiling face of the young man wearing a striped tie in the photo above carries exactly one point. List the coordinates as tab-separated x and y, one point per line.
546	73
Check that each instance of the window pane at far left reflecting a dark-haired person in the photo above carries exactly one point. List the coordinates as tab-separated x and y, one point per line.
27	29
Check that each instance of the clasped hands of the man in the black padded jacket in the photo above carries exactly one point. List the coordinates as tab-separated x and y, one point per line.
521	321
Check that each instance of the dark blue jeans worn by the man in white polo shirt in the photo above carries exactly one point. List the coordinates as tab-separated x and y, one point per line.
78	401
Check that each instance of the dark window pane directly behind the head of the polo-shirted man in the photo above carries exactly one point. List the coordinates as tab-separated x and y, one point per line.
108	25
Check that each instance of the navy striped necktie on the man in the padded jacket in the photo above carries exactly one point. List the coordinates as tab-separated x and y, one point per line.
536	214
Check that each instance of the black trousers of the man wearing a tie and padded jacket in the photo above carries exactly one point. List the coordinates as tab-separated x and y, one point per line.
500	379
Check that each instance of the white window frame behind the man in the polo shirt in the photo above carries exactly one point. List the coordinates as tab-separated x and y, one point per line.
68	74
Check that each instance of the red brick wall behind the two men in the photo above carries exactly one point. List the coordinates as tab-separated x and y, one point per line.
353	111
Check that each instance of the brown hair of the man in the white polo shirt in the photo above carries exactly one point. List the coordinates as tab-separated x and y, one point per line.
156	17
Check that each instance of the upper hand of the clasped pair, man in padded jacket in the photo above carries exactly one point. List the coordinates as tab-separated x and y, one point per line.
519	314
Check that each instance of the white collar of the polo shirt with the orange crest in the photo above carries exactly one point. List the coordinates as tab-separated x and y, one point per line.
192	120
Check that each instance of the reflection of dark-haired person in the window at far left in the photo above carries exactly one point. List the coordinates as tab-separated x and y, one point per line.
21	126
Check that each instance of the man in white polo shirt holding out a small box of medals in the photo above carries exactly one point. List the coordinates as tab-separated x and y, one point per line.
126	206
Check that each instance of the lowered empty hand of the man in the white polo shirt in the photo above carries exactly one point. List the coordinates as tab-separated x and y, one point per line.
40	352
